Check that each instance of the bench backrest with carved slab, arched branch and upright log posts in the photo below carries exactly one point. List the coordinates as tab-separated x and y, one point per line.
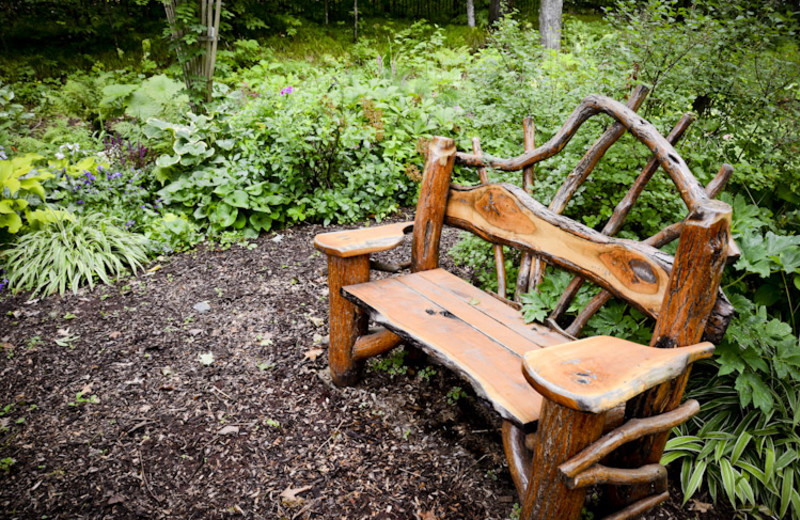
637	272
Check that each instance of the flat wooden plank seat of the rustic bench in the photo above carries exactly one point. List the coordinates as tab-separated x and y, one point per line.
465	329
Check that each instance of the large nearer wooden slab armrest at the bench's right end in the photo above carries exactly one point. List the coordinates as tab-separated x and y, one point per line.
600	373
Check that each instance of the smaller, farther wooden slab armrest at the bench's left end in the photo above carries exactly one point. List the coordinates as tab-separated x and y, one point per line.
345	244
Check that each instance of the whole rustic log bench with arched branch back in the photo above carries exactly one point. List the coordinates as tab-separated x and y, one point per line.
556	395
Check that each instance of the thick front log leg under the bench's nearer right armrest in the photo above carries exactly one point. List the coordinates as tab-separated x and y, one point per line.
562	433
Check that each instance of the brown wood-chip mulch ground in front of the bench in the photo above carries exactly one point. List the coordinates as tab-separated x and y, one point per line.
200	389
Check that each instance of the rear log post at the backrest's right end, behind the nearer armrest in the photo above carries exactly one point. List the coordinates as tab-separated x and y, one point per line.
688	302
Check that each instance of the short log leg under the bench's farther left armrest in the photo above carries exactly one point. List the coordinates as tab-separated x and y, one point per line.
347	322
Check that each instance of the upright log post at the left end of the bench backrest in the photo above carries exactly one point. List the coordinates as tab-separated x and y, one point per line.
431	205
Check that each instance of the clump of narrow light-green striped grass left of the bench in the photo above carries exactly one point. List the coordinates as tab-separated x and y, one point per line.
72	251
